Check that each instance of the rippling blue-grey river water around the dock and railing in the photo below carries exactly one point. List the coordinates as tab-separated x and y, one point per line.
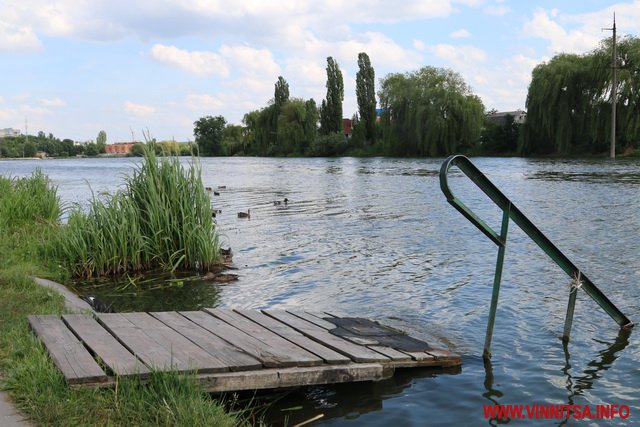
376	238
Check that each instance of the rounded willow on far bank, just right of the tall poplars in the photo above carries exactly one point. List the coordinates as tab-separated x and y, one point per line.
429	112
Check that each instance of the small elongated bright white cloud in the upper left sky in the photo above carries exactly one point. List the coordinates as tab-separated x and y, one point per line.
201	63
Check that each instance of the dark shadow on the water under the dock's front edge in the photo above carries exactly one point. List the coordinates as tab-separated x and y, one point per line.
347	400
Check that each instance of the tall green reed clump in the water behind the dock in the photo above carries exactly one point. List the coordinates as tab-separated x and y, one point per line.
161	219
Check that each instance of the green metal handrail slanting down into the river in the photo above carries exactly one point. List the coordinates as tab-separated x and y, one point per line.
510	211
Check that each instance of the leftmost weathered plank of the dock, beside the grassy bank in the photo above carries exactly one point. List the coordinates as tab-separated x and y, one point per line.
66	351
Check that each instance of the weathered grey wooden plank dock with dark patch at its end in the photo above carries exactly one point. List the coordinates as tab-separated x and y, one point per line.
231	349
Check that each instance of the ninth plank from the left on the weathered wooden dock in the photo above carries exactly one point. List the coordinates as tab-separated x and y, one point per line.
356	352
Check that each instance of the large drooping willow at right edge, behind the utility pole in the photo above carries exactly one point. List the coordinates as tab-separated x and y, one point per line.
569	102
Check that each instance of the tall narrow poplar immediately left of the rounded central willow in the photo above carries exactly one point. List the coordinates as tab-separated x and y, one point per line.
366	95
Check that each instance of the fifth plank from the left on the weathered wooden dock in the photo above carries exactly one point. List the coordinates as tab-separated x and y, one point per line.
230	357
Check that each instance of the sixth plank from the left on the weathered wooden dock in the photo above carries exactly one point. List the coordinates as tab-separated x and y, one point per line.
269	356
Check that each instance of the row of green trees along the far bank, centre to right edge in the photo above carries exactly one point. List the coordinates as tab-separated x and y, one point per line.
434	112
